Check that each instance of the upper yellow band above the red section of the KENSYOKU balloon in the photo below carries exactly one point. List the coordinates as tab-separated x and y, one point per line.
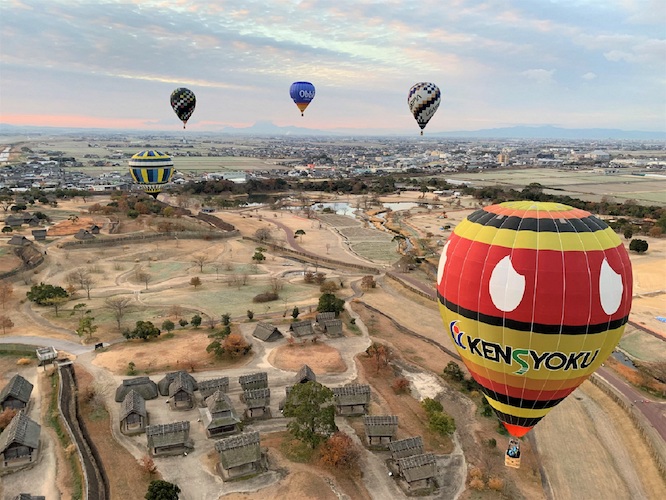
509	238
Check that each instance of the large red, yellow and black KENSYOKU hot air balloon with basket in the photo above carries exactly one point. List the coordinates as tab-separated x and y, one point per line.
535	297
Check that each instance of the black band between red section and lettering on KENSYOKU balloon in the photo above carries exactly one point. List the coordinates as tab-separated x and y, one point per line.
524	326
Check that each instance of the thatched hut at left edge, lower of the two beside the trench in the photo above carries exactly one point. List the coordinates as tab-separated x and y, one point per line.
19	442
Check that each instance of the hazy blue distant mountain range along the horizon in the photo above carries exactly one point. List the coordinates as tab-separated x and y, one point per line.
270	129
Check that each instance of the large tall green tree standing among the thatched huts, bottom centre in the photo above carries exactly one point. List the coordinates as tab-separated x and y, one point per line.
311	406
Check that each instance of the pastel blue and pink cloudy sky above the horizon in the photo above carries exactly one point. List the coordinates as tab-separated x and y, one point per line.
114	63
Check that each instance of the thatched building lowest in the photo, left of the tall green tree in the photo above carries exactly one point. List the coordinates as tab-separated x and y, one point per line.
239	455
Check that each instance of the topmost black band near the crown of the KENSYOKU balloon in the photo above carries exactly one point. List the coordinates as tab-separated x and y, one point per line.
585	225
